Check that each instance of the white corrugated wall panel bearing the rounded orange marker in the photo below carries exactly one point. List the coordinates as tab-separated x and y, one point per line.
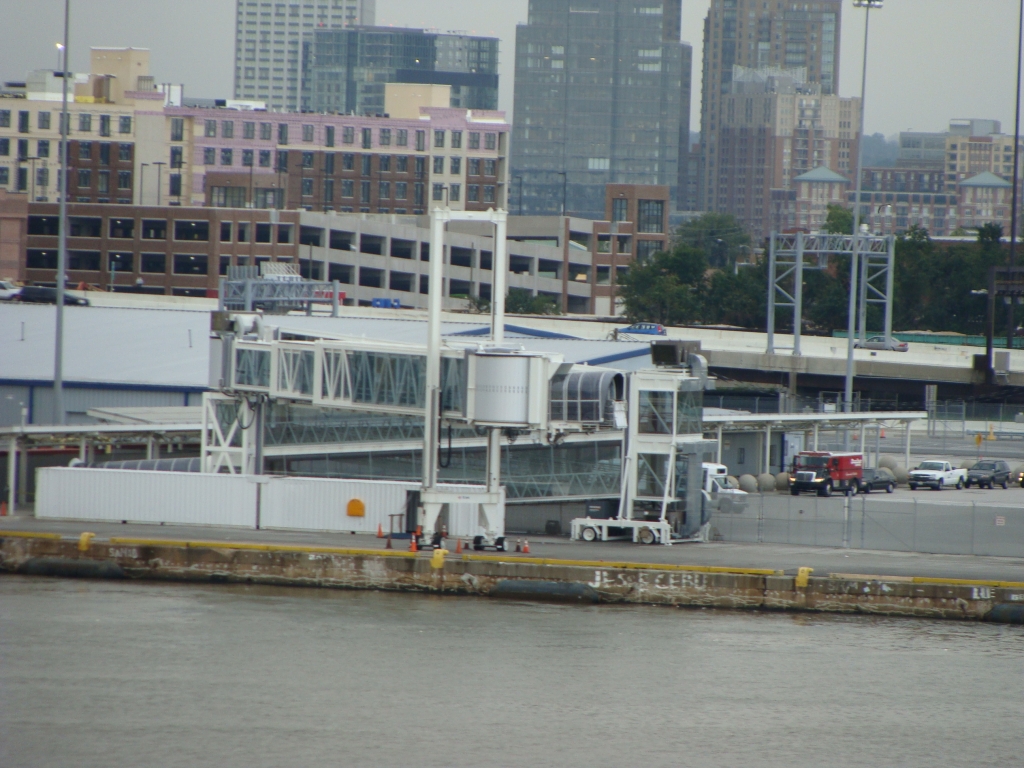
316	504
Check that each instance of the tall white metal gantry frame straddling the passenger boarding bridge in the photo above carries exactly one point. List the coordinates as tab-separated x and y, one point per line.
433	499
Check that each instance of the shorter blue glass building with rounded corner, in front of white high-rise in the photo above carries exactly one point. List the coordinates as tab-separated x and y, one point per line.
346	71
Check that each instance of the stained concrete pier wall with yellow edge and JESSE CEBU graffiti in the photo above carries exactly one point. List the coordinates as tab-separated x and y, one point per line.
493	576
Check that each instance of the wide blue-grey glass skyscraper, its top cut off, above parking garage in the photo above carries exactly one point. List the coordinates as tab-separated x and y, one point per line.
603	96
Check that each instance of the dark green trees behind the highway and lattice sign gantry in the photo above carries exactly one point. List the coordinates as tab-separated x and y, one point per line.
698	281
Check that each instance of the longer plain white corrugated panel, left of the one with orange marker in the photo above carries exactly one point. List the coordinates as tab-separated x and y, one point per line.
178	498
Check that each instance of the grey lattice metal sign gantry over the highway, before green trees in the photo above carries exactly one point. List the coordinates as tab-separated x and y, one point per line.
790	255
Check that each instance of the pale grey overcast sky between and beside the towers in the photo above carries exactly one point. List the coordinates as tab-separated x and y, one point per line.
929	60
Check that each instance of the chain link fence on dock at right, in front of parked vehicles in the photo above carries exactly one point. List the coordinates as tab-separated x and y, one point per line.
874	524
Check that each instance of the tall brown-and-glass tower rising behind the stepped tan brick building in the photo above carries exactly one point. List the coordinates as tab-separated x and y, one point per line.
760	34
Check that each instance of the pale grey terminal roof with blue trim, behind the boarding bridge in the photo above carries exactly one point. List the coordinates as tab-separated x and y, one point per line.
169	350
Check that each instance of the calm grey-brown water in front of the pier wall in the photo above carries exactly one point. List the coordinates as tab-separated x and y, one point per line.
107	674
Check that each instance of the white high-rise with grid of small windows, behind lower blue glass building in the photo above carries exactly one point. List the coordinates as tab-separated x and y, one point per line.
269	45
